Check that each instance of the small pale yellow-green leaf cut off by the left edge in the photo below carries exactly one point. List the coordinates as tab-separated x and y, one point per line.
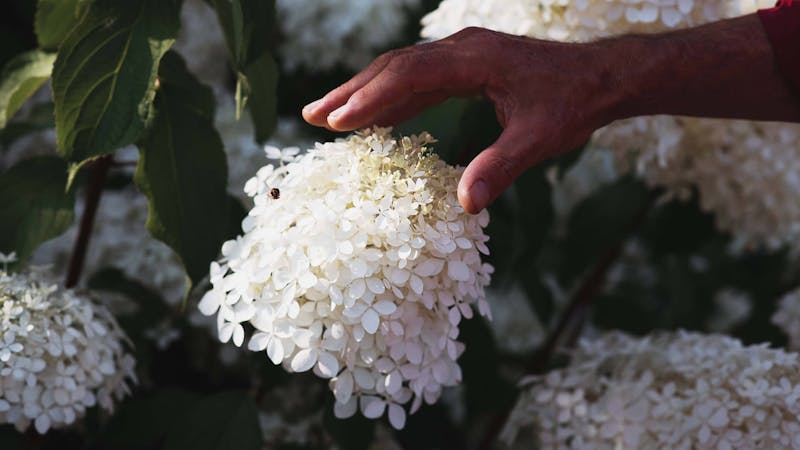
21	77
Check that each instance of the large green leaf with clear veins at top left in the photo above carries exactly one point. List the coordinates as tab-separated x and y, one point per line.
104	78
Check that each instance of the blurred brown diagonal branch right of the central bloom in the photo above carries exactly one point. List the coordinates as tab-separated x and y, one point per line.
573	318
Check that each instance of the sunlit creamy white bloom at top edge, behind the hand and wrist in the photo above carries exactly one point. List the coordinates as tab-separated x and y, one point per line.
572	20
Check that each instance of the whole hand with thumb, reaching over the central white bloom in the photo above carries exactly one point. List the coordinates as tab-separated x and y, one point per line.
549	97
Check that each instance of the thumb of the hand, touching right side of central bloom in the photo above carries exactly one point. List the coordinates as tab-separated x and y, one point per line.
495	168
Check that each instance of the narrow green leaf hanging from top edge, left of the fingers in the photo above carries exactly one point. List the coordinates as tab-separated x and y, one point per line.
247	25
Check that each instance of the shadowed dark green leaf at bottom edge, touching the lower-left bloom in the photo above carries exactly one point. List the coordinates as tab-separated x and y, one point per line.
144	422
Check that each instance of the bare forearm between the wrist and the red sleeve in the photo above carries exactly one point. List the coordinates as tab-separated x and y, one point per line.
726	69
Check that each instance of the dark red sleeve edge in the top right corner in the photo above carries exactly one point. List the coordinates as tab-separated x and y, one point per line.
782	24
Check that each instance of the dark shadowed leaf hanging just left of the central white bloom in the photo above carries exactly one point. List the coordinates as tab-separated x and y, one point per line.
183	171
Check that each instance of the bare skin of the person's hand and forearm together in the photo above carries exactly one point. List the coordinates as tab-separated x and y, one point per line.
550	96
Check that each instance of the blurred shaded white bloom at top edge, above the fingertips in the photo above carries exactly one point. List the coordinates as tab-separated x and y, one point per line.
321	34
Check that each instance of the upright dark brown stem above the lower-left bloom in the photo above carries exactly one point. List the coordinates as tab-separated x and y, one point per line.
97	178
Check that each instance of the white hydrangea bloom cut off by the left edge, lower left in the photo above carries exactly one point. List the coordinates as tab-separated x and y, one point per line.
60	353
